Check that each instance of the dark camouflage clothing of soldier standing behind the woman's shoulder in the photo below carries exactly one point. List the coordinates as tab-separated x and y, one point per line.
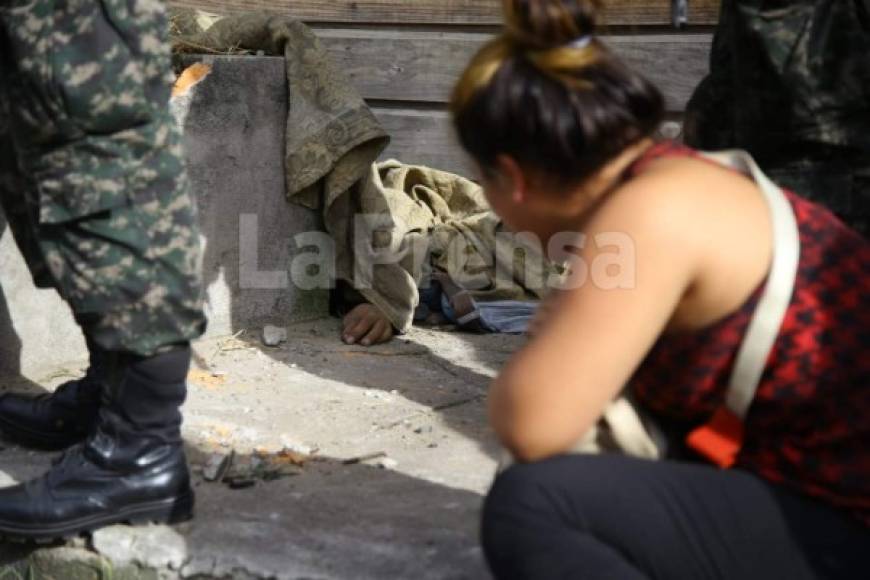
790	82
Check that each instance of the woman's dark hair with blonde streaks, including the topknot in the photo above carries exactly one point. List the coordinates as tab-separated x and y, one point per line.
551	97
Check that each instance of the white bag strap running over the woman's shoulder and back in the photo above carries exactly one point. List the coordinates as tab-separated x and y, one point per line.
769	314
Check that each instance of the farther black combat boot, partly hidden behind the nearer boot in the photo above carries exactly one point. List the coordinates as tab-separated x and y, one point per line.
55	420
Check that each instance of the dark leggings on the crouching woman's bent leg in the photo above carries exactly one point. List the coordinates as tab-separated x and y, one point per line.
618	518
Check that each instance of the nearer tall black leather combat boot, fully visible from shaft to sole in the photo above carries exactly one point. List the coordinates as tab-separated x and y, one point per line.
132	469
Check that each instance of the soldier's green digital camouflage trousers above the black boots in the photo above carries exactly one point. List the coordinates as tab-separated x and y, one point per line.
92	178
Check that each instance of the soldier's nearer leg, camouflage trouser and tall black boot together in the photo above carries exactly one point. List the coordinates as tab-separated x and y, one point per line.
118	232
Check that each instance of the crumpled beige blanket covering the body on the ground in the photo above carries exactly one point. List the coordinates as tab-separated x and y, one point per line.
432	220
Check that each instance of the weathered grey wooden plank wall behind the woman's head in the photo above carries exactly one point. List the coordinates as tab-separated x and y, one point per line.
405	55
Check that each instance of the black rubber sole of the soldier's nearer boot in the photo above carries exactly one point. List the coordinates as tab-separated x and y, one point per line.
169	511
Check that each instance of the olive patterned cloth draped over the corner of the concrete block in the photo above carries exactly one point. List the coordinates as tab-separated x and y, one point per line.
332	135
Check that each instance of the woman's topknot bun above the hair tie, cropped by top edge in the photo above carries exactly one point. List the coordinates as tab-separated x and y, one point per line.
545	24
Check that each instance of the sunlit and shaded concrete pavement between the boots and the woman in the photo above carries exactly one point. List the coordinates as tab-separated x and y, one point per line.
347	463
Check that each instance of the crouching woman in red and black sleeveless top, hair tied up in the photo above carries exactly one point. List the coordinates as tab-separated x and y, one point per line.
561	131
